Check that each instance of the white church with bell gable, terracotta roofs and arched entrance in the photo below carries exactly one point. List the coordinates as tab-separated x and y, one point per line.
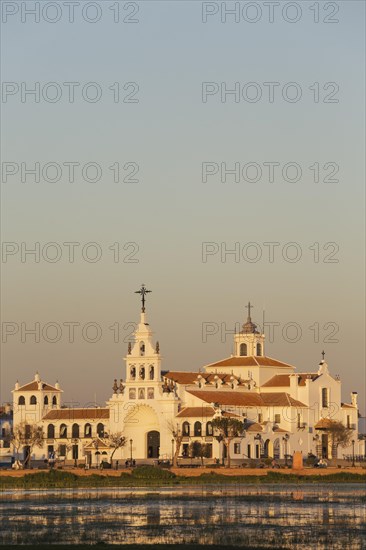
282	410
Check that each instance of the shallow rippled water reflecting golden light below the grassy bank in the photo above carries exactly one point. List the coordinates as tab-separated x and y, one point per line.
306	516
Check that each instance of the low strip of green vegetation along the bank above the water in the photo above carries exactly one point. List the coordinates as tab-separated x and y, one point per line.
152	476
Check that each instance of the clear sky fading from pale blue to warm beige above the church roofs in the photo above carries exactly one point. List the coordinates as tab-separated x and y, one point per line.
161	110
